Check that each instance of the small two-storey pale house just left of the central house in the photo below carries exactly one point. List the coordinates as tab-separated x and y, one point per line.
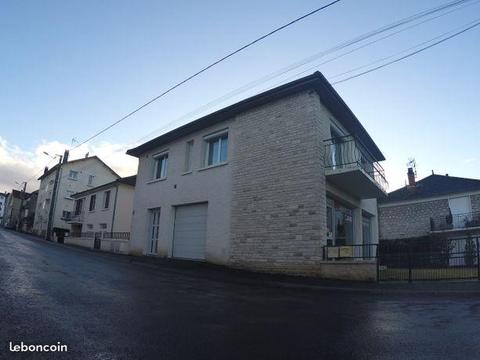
104	212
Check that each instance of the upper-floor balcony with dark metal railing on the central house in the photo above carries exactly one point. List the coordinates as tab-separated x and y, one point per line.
350	167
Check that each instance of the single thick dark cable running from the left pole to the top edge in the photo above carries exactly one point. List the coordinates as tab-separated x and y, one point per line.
207	68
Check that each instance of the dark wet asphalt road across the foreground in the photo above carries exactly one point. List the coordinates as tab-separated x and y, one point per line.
104	306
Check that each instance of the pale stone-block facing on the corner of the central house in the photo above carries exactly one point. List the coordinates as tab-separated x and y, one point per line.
278	187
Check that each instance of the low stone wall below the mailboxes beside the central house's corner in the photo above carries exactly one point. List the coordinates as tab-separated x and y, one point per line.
349	270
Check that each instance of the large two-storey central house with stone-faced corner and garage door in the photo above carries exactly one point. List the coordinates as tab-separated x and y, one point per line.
263	184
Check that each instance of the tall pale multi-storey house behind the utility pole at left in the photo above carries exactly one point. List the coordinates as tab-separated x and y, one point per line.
55	202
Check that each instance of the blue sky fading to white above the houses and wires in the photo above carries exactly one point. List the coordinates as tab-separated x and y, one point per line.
70	68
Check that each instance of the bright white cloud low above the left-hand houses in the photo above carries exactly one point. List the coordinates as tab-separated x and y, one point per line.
17	165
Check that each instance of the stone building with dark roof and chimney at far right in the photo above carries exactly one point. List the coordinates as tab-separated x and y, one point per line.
438	205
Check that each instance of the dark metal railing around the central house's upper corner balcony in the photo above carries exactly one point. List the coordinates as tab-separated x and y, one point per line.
347	153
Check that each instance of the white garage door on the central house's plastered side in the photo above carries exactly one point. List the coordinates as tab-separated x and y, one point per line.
190	232
